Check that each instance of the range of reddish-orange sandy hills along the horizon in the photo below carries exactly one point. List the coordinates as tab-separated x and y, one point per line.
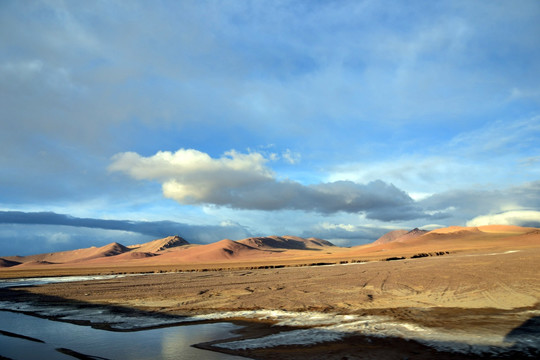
275	250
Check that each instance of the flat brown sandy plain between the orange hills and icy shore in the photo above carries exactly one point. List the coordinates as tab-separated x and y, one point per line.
495	280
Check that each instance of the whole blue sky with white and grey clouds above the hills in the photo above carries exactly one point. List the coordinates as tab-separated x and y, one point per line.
129	121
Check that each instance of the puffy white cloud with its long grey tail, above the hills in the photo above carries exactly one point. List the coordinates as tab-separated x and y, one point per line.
243	181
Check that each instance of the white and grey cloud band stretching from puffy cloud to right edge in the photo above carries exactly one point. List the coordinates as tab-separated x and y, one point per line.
245	181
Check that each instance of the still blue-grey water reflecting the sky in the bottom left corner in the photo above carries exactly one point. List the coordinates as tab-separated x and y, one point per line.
166	343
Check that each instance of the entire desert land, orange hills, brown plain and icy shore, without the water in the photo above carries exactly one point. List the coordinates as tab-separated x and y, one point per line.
457	292
